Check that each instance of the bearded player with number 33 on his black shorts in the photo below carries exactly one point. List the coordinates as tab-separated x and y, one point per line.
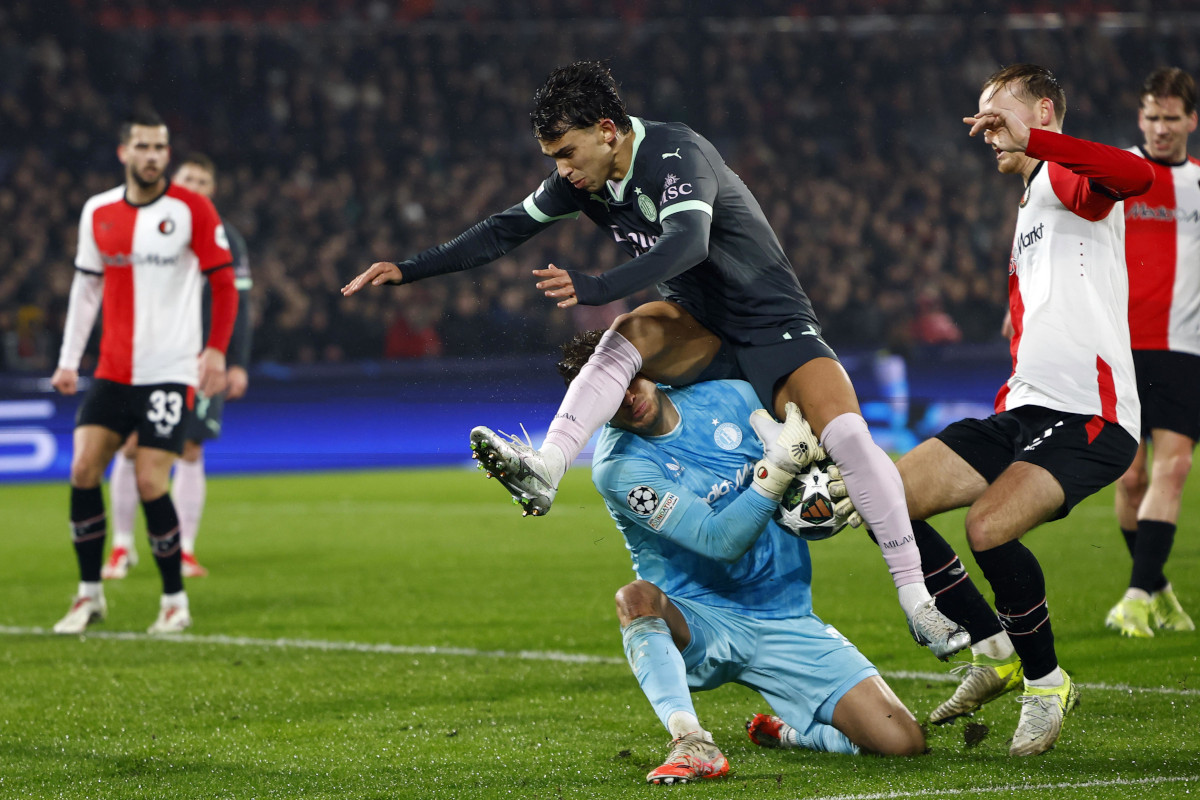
145	248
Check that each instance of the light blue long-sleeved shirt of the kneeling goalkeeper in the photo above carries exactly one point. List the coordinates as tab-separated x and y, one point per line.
691	522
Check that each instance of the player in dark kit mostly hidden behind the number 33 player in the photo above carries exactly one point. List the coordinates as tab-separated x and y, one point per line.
199	175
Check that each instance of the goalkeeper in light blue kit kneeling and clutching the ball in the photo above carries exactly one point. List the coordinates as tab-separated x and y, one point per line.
723	593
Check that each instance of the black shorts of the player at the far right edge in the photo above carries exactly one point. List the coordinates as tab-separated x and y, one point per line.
1169	388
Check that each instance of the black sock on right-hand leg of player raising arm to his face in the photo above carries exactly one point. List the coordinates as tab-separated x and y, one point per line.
1021	590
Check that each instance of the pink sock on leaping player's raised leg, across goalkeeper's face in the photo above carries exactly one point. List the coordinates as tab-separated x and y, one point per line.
595	396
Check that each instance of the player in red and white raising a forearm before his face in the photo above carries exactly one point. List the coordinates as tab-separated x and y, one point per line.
1067	420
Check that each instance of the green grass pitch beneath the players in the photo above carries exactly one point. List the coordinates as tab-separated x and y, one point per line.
409	635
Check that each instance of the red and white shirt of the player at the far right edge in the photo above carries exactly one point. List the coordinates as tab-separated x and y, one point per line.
1163	255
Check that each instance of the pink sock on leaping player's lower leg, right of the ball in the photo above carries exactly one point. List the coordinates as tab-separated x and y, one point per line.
875	486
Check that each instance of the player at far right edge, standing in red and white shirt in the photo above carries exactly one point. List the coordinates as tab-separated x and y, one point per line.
1163	255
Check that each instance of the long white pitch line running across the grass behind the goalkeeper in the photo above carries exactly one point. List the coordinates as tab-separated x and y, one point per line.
519	655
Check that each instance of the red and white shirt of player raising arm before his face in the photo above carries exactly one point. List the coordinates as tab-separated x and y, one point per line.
1067	285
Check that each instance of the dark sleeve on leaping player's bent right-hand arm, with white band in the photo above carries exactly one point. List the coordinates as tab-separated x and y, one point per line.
689	187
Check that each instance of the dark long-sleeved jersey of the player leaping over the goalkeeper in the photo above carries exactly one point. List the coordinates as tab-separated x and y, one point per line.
691	224
